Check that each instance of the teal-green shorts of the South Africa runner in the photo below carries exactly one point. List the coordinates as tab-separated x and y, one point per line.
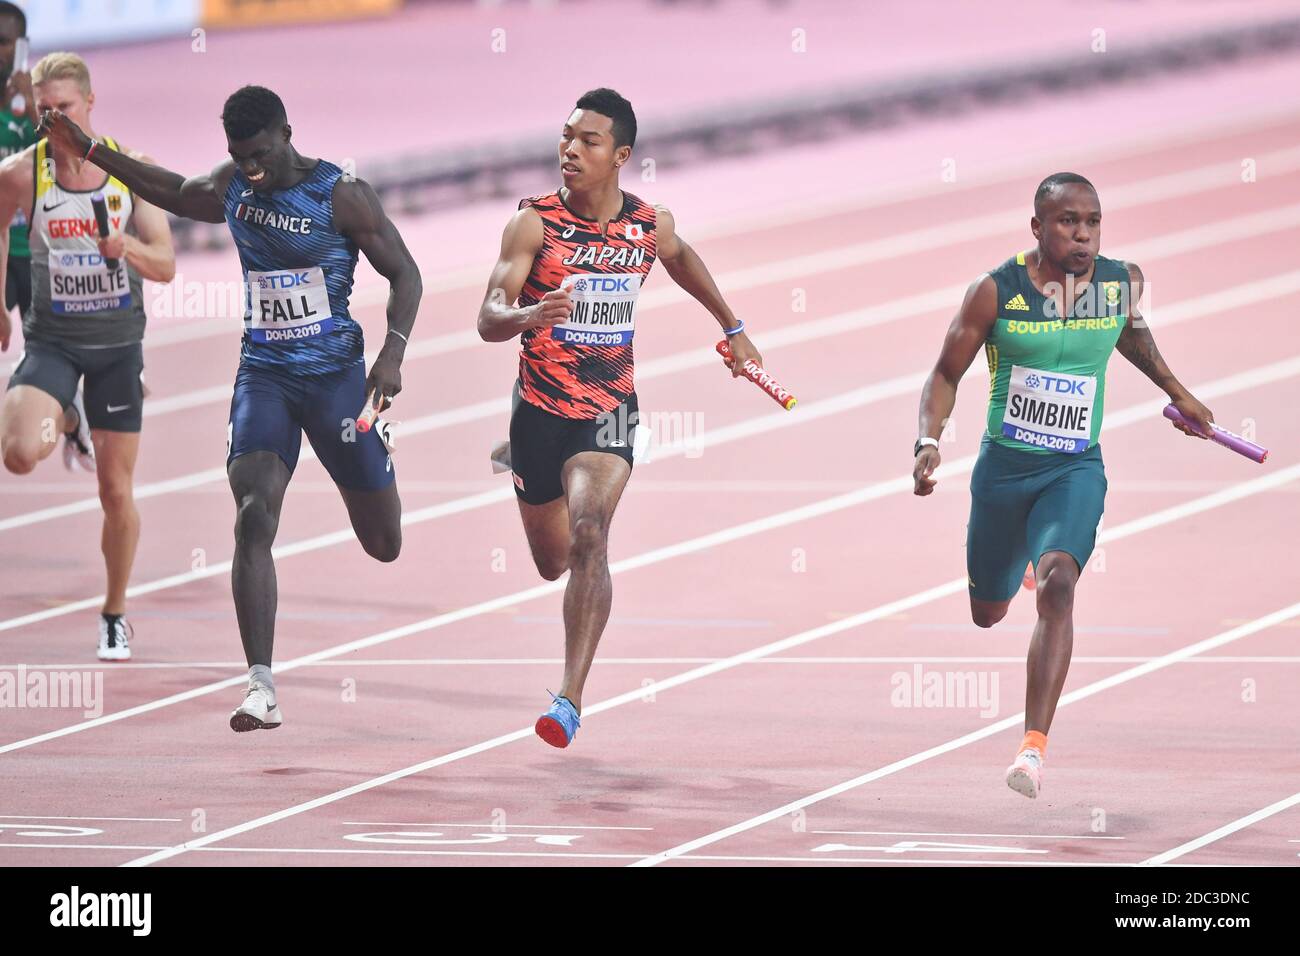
1026	504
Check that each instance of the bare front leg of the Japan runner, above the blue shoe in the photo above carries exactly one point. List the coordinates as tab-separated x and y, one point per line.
593	485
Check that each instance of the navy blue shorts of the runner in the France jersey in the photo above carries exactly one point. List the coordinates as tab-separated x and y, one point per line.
271	412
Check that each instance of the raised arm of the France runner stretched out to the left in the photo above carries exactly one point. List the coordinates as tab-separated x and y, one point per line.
197	198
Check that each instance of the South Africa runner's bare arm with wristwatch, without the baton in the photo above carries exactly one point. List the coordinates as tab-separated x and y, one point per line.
970	328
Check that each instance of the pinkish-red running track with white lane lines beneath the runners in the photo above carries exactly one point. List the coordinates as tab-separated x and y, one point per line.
777	590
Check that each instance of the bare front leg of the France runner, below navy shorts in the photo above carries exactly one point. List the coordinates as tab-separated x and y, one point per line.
259	481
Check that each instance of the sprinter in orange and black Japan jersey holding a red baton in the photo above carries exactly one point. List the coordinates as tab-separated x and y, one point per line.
567	282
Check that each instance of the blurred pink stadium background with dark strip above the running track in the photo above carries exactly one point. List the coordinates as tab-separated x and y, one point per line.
445	105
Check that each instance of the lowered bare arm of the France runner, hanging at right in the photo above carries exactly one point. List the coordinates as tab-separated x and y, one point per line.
359	217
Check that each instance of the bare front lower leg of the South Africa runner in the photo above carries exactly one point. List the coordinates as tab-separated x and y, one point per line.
1054	639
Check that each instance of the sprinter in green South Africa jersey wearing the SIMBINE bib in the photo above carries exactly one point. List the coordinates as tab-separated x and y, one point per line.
1048	321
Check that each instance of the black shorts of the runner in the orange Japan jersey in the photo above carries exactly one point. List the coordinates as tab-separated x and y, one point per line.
541	443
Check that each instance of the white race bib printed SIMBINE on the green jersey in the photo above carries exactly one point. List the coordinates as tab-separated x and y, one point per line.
1051	410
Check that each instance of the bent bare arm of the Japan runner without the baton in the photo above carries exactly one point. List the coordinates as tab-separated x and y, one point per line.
500	319
